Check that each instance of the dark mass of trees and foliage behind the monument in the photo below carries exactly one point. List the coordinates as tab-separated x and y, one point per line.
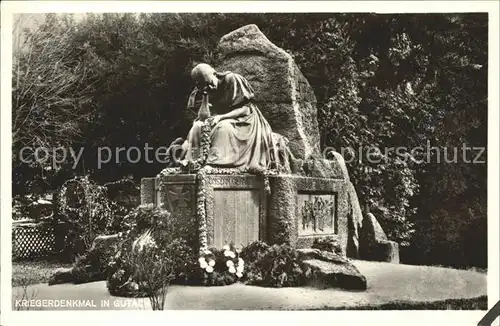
122	80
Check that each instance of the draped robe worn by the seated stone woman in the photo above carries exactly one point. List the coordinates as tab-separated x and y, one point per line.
244	142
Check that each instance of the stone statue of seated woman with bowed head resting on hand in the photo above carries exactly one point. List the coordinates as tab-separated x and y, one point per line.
240	136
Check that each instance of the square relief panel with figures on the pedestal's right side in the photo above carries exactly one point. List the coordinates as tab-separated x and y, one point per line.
316	214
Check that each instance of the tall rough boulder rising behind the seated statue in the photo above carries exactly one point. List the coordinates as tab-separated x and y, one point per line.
282	93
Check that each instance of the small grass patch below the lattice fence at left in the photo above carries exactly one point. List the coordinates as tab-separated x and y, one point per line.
33	272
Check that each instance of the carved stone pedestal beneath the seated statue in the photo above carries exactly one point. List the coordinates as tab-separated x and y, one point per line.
297	211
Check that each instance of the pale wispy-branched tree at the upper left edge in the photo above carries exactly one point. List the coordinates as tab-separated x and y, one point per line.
51	96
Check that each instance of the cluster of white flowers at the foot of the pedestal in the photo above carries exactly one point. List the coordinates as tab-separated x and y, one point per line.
221	267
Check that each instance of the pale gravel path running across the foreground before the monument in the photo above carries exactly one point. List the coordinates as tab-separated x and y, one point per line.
386	283
